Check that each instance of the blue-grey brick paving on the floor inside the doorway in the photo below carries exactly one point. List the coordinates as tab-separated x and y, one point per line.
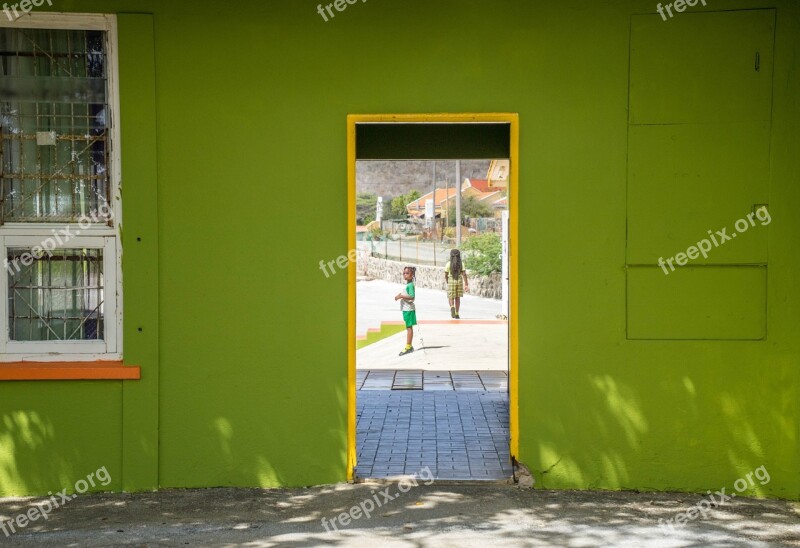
459	435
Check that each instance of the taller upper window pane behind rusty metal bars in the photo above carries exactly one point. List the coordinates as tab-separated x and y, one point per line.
54	126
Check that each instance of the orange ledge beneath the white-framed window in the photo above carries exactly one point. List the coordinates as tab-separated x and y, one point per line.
59	371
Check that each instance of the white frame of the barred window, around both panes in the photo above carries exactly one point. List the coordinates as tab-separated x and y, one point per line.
98	235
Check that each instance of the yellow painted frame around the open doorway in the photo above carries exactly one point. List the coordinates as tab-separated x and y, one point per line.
513	201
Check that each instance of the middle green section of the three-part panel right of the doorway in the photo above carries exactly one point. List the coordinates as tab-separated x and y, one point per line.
684	180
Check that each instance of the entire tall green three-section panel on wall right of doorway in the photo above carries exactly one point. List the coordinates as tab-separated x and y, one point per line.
698	161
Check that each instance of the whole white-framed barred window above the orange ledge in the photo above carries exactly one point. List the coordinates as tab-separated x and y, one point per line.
60	285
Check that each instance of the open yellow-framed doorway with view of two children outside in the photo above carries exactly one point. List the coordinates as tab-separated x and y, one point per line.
421	186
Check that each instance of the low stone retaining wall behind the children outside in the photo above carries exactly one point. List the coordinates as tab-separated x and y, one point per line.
431	277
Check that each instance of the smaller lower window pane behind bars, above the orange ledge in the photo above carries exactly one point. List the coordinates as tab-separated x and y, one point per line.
57	297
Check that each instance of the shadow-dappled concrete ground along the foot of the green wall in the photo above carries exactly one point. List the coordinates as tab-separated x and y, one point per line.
438	514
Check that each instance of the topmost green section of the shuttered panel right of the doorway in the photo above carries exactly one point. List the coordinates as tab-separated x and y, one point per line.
702	67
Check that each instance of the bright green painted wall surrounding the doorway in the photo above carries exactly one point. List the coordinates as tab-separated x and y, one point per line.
234	128
